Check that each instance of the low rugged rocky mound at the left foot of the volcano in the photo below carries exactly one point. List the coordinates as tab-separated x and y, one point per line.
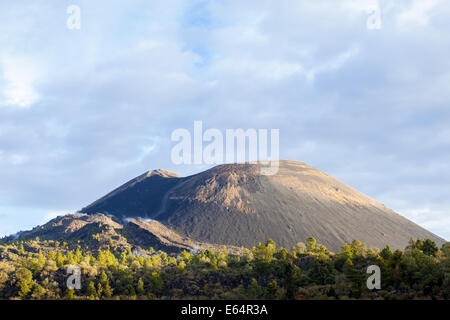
96	231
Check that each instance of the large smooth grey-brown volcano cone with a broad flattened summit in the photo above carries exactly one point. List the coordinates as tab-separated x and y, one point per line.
233	204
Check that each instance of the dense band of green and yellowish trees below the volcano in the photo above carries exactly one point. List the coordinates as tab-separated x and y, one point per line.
37	269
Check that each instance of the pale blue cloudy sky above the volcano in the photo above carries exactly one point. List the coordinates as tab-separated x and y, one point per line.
357	88
